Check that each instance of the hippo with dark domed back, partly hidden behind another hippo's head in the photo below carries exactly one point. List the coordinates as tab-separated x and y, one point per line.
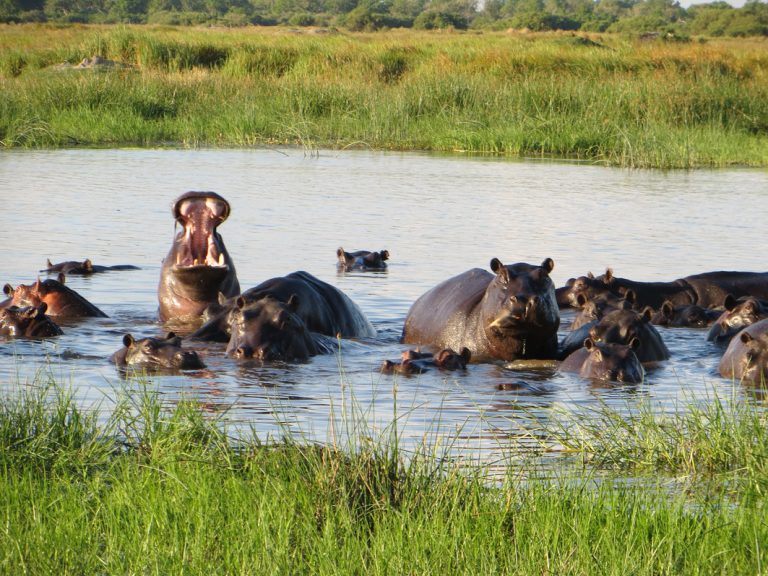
323	308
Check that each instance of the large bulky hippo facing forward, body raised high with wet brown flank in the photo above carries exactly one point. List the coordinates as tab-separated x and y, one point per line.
505	315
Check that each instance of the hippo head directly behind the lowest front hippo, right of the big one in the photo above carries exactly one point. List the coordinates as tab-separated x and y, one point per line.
622	326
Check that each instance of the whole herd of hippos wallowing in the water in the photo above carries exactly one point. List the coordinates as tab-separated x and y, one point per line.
510	312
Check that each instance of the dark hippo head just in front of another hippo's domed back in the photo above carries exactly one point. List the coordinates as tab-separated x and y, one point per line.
269	330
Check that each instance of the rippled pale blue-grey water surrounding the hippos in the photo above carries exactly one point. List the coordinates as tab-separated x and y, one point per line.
437	216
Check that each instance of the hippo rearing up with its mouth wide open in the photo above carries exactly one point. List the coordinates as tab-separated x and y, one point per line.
198	265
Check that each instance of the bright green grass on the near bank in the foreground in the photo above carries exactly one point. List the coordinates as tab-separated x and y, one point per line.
161	490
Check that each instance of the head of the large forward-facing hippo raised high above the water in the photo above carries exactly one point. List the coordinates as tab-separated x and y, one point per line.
519	311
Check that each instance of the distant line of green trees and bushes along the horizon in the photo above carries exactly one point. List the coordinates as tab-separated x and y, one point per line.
655	17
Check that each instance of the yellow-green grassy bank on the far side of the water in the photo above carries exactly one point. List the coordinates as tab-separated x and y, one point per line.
604	99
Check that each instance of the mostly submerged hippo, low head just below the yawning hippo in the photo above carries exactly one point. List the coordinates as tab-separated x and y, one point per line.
156	354
